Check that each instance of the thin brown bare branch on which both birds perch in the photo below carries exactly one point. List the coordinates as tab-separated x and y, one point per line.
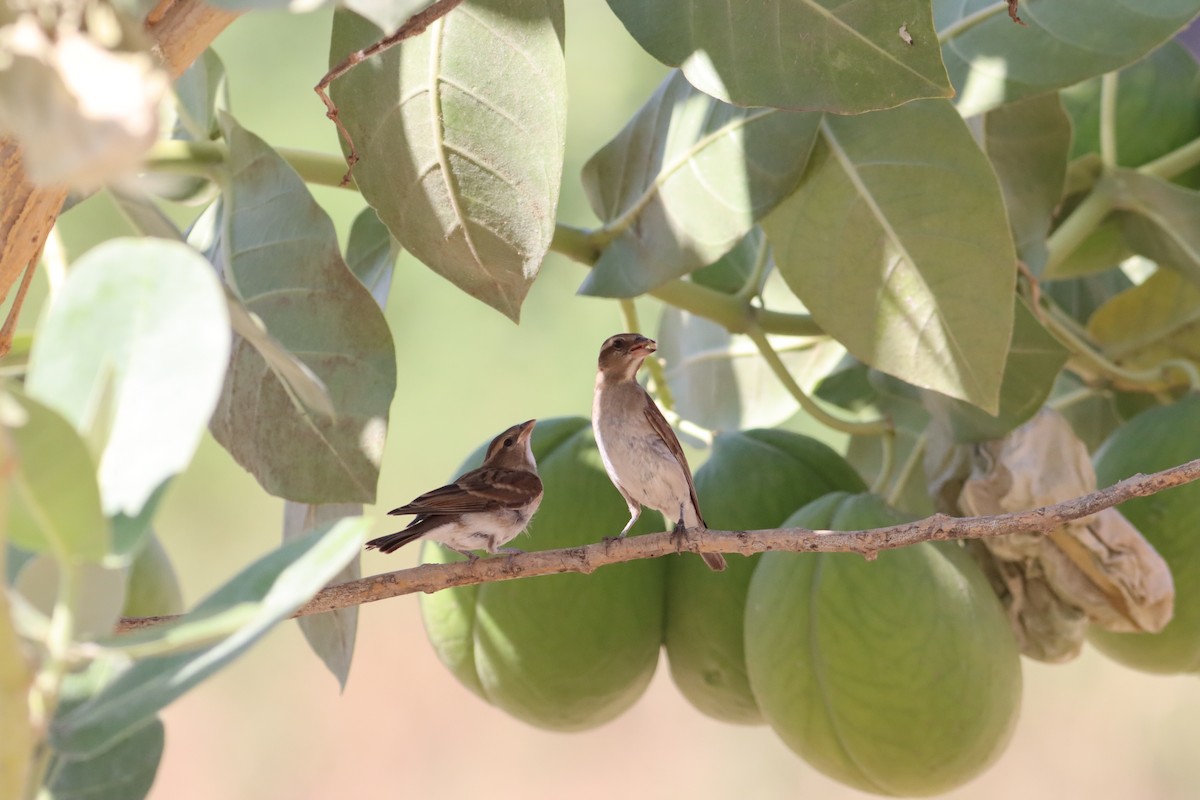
586	560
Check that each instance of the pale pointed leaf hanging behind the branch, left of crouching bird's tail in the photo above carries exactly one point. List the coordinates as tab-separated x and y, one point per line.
331	636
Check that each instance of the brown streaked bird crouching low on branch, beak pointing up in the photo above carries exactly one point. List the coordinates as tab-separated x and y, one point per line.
483	509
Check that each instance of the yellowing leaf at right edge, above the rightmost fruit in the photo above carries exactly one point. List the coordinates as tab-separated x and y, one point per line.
1150	323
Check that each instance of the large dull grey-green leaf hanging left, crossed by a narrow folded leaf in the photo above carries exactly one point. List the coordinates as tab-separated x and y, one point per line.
281	258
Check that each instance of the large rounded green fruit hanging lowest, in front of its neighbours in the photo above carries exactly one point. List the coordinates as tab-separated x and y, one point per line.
898	676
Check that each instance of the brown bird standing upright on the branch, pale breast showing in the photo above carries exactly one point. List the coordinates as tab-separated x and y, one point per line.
638	447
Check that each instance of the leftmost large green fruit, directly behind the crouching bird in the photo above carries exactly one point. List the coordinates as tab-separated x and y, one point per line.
566	652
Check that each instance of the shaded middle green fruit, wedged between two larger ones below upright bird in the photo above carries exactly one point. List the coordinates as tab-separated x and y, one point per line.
754	479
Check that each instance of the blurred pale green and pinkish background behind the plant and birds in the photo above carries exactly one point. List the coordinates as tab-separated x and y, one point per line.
274	725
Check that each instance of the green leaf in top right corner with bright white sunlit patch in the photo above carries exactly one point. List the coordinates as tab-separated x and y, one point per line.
992	62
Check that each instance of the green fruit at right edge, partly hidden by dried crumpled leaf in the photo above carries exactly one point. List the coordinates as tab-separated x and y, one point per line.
1151	442
